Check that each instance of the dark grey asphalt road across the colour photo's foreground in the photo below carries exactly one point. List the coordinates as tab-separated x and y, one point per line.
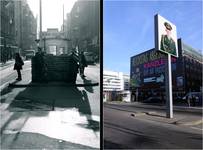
122	130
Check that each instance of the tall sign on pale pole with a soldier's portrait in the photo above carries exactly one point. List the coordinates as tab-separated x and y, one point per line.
166	42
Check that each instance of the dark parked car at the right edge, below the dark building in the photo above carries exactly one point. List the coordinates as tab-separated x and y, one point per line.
197	95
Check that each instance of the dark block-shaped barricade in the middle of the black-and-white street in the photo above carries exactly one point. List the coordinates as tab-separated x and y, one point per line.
46	68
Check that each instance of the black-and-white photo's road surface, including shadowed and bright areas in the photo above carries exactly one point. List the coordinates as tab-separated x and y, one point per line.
68	116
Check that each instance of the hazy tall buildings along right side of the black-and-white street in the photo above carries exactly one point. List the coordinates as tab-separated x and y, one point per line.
83	26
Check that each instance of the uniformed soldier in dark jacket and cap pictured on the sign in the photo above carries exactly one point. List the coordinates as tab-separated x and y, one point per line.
167	43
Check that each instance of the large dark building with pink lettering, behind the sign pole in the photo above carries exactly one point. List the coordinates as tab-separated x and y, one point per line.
147	73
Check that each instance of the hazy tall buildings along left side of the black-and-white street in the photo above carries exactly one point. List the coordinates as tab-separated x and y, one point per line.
18	28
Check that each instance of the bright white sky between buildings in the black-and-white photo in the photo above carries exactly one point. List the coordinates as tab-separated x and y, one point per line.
52	11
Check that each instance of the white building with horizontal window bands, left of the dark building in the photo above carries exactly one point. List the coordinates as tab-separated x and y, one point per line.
115	86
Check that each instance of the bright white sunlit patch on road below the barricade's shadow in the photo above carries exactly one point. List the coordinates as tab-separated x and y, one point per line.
68	125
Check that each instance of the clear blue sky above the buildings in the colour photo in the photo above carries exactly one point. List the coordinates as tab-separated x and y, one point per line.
128	28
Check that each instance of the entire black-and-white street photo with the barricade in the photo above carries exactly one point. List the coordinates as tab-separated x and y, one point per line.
50	74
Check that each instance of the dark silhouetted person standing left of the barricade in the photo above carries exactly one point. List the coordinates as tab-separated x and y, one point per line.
18	65
